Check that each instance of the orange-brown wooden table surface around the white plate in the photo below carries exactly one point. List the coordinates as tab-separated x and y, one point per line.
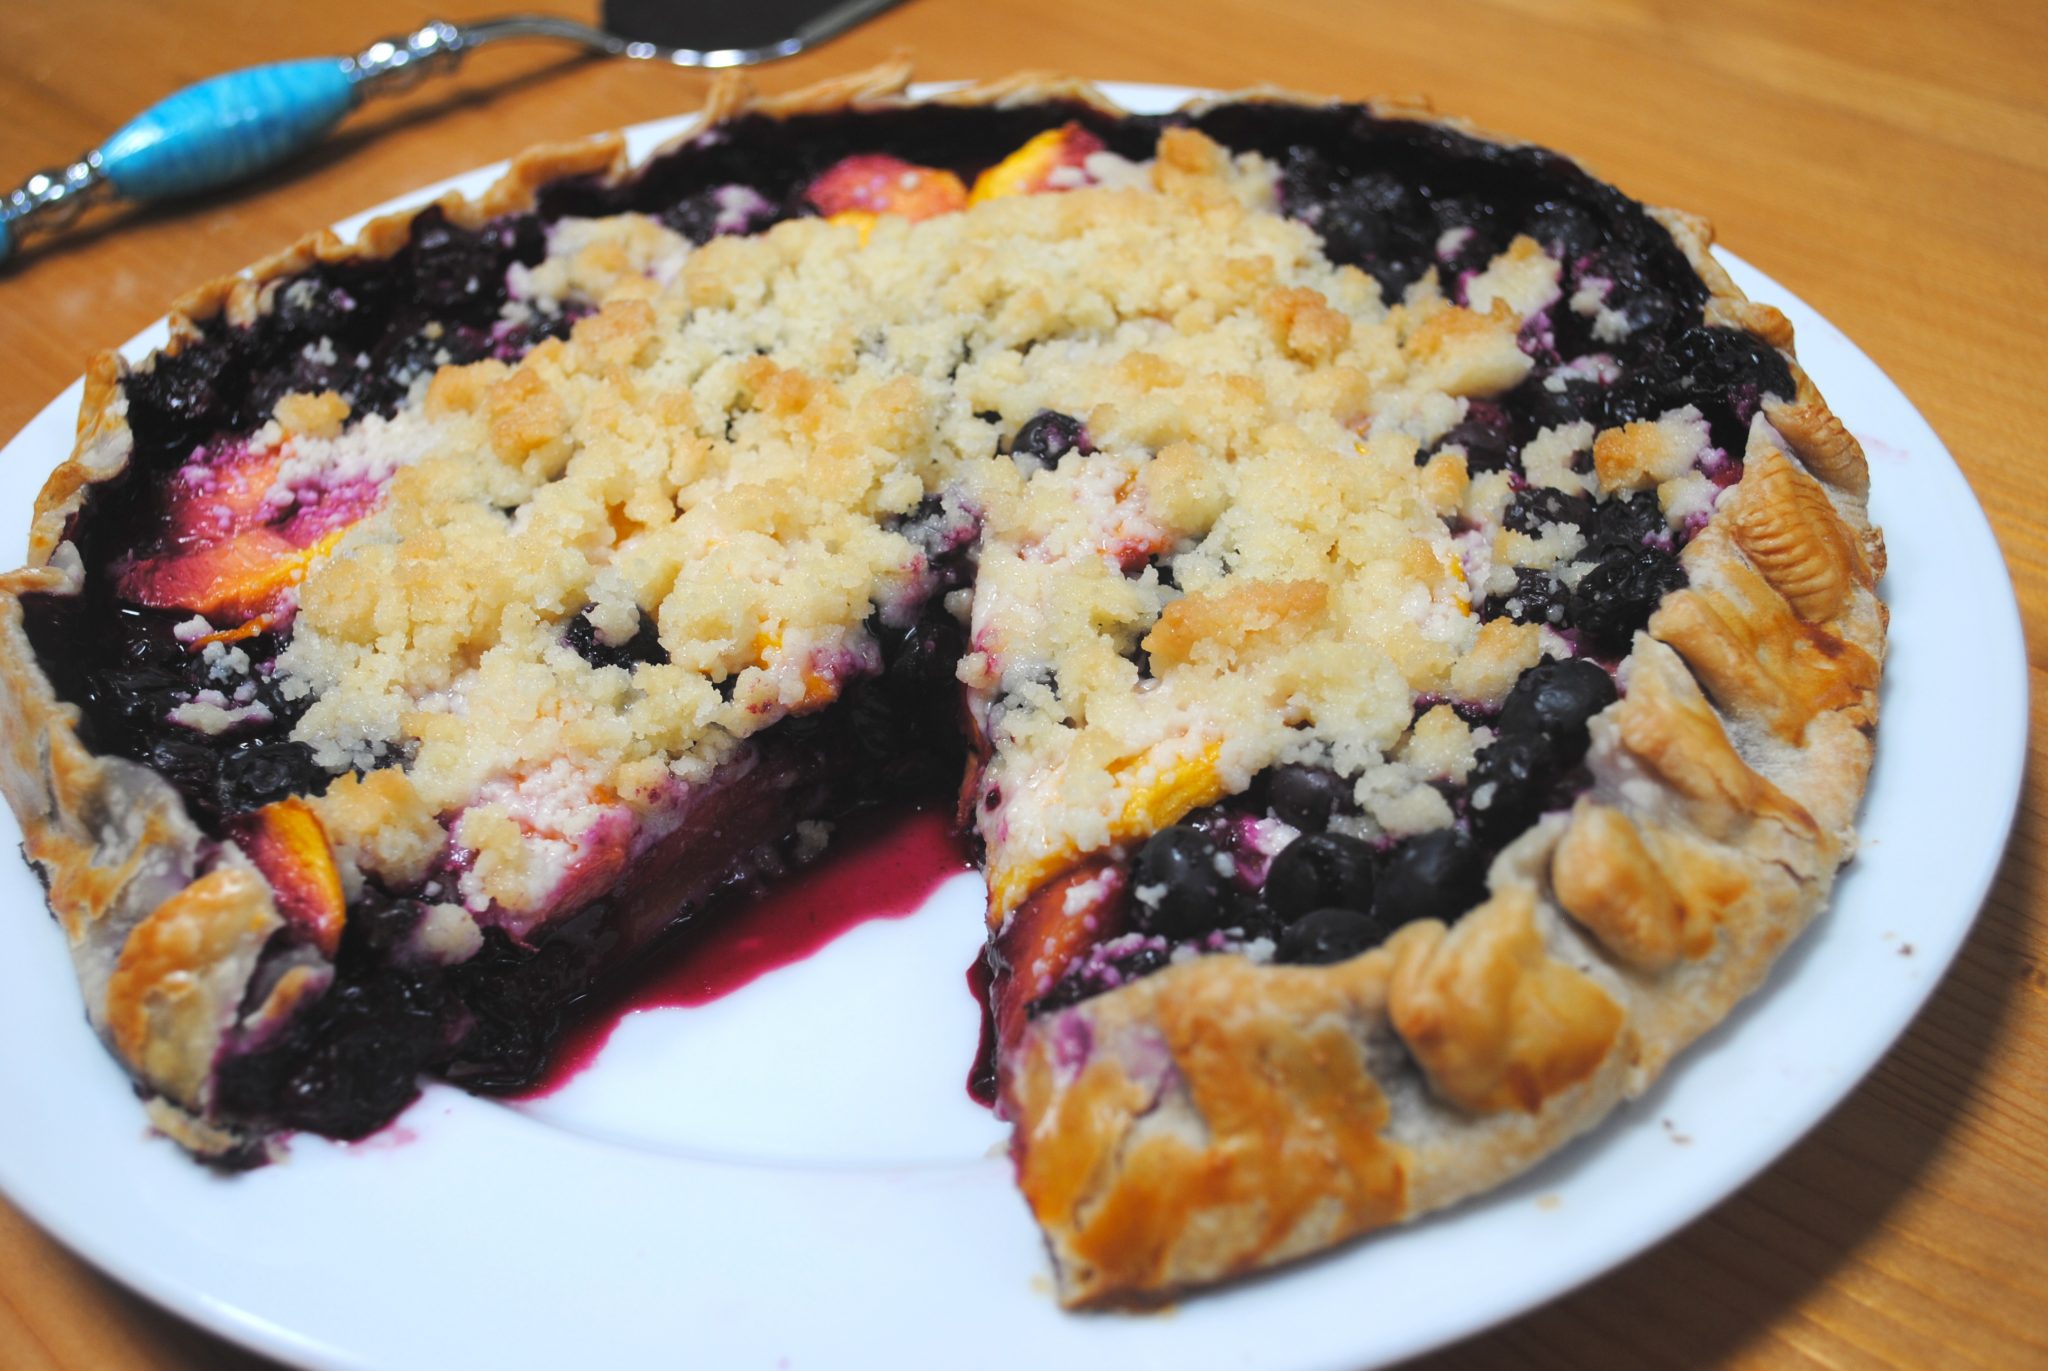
1887	161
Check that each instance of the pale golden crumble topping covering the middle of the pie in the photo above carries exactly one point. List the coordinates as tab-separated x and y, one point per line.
755	448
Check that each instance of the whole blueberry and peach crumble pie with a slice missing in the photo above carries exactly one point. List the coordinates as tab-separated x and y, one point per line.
1248	520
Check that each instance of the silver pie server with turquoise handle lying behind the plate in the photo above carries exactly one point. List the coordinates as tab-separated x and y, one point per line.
234	126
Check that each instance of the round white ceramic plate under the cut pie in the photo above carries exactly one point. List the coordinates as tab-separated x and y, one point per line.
794	1177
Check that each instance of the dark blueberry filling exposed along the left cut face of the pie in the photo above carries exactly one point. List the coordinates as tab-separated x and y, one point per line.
349	1065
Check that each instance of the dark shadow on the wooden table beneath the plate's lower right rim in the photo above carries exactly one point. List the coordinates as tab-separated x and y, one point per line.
1707	1294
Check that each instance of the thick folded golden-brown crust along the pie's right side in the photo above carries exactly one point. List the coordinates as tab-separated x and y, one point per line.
1224	1118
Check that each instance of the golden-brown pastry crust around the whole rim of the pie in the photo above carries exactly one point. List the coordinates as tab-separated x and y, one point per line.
1218	1116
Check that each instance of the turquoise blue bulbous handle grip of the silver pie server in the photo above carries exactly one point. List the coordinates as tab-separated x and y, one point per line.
228	128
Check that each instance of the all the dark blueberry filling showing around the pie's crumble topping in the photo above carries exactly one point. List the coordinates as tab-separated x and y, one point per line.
1396	198
